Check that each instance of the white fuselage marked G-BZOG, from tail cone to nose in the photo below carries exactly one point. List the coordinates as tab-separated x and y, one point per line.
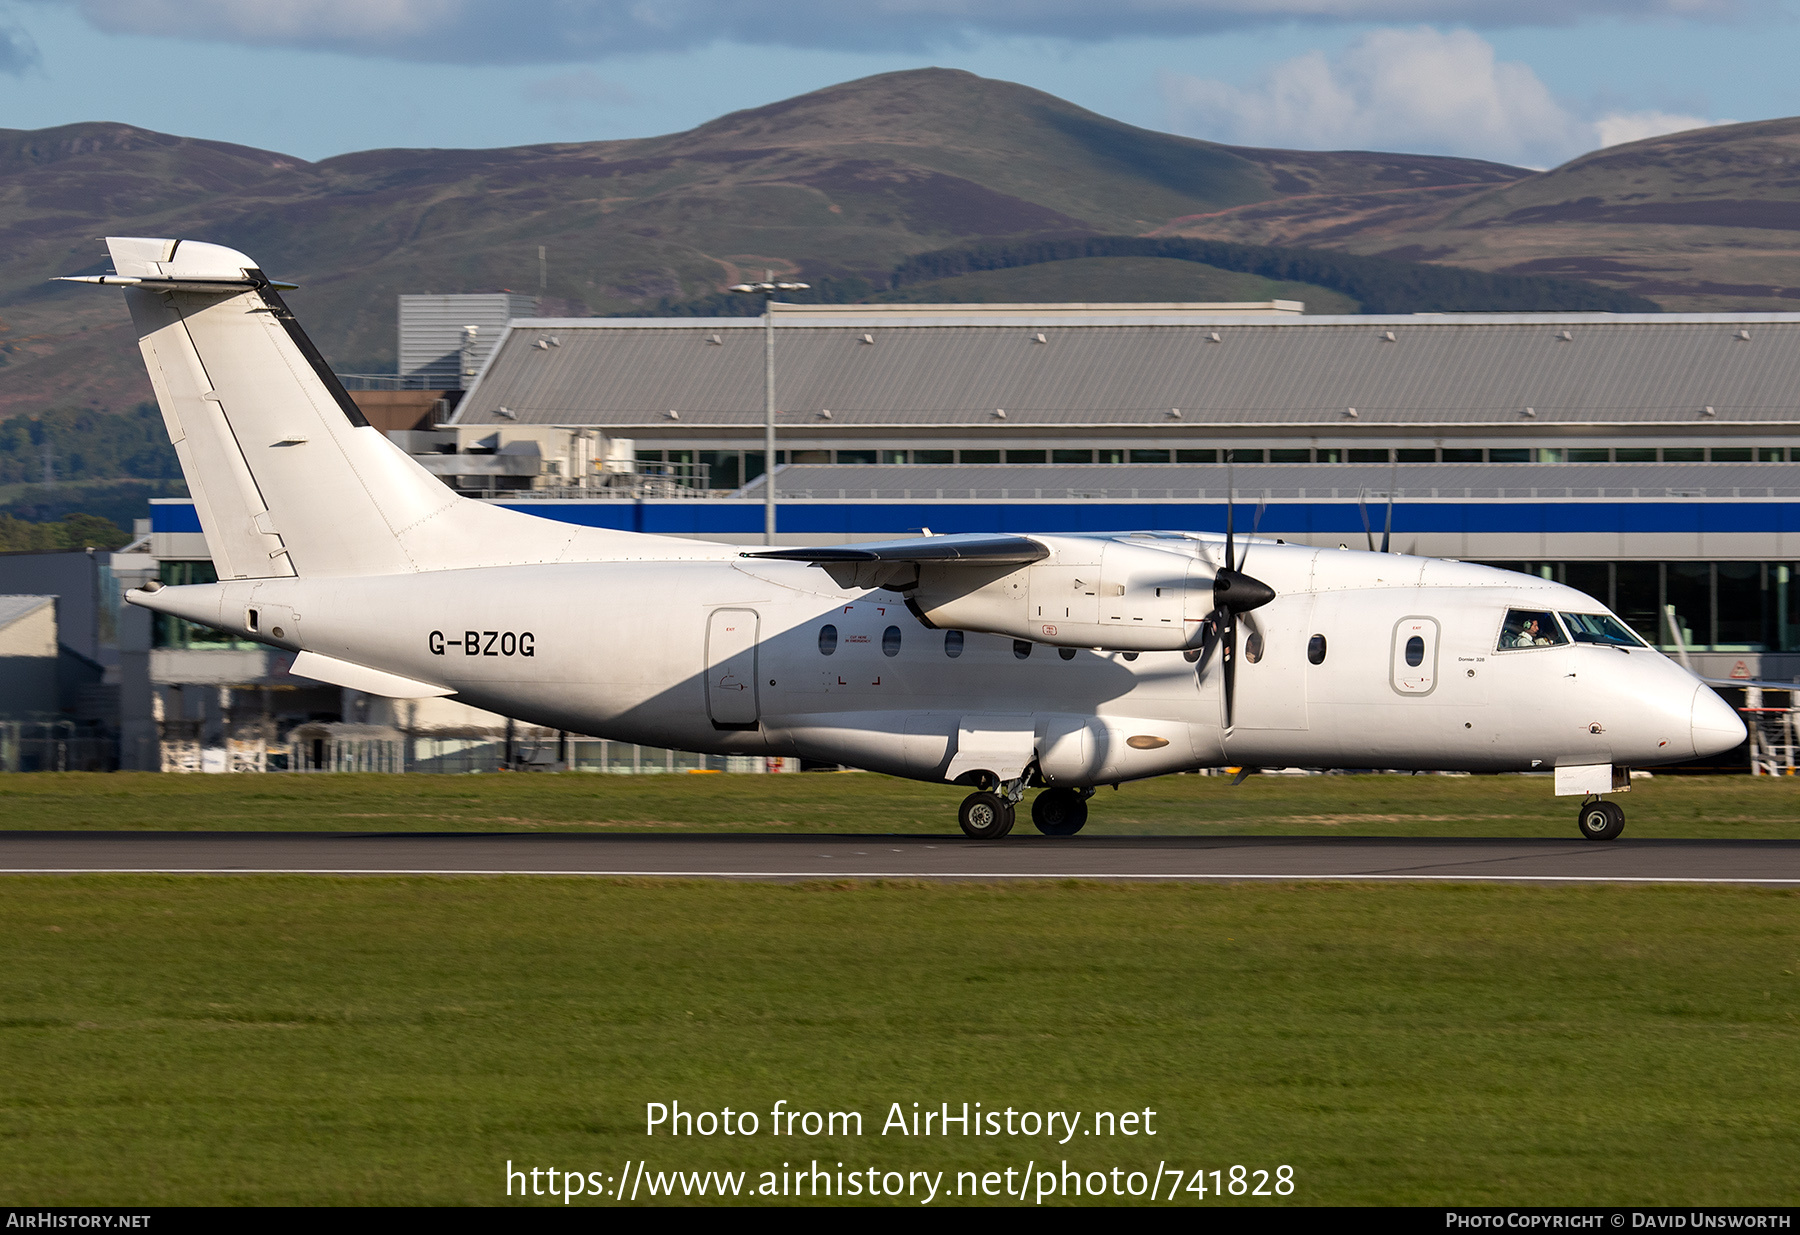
726	656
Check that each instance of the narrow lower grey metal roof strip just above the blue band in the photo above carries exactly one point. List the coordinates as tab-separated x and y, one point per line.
1291	482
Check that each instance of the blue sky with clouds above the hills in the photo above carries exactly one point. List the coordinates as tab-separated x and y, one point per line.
1520	82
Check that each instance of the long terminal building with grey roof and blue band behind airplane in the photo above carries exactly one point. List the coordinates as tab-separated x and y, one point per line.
1648	460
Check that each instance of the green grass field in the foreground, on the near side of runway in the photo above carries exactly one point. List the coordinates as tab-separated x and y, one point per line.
397	1041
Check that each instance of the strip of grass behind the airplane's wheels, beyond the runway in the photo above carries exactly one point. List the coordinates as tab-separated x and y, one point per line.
859	802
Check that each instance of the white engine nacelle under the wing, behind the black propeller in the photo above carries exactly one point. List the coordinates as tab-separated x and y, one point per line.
1119	595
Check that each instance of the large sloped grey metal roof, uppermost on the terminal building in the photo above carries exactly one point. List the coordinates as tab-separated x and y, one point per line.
1284	374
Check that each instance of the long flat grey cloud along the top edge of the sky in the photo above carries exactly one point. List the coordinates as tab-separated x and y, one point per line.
566	32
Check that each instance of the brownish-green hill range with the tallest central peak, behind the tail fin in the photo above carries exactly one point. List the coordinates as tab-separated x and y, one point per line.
838	185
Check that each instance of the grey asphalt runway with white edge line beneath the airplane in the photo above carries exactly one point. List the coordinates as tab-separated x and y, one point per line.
937	858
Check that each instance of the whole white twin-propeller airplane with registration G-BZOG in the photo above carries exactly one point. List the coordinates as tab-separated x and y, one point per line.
1000	663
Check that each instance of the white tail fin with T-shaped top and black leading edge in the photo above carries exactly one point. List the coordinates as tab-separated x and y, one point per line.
287	474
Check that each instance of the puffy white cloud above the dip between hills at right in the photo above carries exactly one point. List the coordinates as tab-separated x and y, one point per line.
1407	89
